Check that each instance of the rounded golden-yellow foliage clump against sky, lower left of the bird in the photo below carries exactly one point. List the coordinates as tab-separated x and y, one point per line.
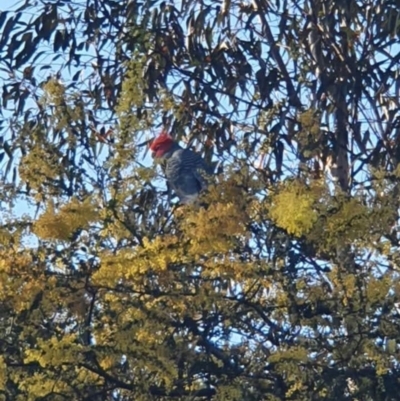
61	225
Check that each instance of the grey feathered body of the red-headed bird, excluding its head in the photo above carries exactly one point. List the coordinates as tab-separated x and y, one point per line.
186	172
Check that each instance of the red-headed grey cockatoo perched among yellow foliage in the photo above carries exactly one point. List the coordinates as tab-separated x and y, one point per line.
186	171
